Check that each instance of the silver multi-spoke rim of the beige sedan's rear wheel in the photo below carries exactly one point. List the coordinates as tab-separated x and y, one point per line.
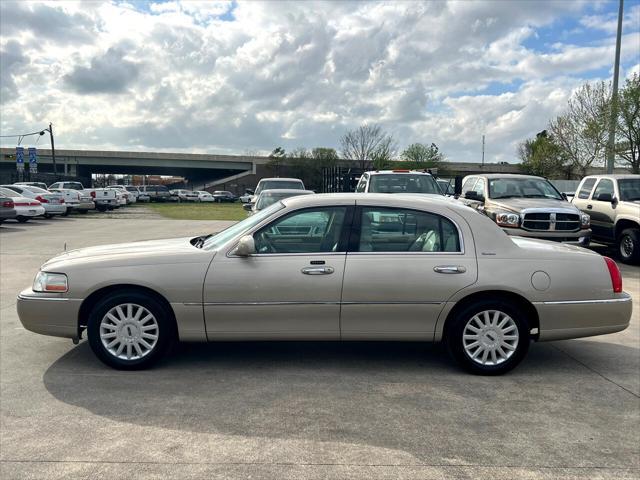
490	337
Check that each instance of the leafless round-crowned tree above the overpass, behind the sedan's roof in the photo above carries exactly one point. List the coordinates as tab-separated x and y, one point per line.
366	143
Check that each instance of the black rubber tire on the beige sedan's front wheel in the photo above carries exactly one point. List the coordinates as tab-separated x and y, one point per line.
165	330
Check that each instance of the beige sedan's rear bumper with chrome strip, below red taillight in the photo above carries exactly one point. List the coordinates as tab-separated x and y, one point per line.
583	318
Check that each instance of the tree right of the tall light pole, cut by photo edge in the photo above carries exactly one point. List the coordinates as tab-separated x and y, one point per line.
628	130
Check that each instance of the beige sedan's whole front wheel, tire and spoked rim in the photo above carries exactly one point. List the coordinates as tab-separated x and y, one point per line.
130	331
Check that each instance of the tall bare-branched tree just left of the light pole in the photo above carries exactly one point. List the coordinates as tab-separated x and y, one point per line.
581	133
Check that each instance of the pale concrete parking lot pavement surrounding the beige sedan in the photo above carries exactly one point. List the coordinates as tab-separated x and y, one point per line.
302	410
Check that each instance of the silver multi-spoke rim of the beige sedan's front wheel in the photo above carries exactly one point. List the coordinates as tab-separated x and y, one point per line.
129	331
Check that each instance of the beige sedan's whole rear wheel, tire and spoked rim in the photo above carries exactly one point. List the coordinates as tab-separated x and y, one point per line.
489	337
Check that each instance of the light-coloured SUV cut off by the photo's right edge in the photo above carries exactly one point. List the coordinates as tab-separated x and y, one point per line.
613	202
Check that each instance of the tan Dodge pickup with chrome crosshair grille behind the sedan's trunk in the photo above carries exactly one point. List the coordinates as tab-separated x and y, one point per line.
527	206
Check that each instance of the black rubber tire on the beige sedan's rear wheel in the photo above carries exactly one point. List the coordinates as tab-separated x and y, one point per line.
464	319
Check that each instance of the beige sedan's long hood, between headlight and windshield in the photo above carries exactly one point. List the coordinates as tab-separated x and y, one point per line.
165	251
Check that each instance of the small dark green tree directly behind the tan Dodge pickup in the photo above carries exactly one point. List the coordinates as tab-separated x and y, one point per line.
542	156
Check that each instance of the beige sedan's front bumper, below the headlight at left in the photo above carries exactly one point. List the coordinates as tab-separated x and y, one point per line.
49	313
